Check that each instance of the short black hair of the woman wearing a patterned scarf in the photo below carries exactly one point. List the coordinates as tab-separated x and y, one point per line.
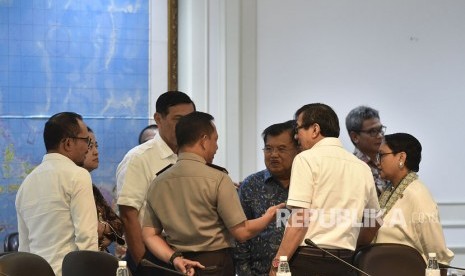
407	143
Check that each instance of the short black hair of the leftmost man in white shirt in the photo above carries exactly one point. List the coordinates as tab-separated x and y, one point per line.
60	126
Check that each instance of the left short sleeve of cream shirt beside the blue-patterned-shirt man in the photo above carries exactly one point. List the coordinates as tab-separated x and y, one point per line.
301	186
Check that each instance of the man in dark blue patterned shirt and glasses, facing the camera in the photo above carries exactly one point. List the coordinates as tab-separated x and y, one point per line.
262	190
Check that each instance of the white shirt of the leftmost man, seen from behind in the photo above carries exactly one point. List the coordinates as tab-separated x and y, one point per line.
56	210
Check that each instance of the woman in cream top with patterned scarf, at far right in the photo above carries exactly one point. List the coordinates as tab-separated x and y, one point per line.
410	212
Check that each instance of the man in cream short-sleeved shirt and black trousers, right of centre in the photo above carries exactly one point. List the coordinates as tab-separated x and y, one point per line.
329	190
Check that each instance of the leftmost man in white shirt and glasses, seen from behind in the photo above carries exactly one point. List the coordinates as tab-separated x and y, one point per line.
55	204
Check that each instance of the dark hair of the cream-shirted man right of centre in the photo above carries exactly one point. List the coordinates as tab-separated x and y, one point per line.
321	114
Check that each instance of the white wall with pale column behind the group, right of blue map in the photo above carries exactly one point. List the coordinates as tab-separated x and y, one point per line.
405	58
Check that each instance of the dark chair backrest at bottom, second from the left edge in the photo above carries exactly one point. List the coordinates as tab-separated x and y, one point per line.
89	263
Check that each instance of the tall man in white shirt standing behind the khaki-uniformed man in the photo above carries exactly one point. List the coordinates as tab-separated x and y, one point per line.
139	168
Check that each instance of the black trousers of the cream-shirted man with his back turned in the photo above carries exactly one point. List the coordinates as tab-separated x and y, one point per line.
309	261
